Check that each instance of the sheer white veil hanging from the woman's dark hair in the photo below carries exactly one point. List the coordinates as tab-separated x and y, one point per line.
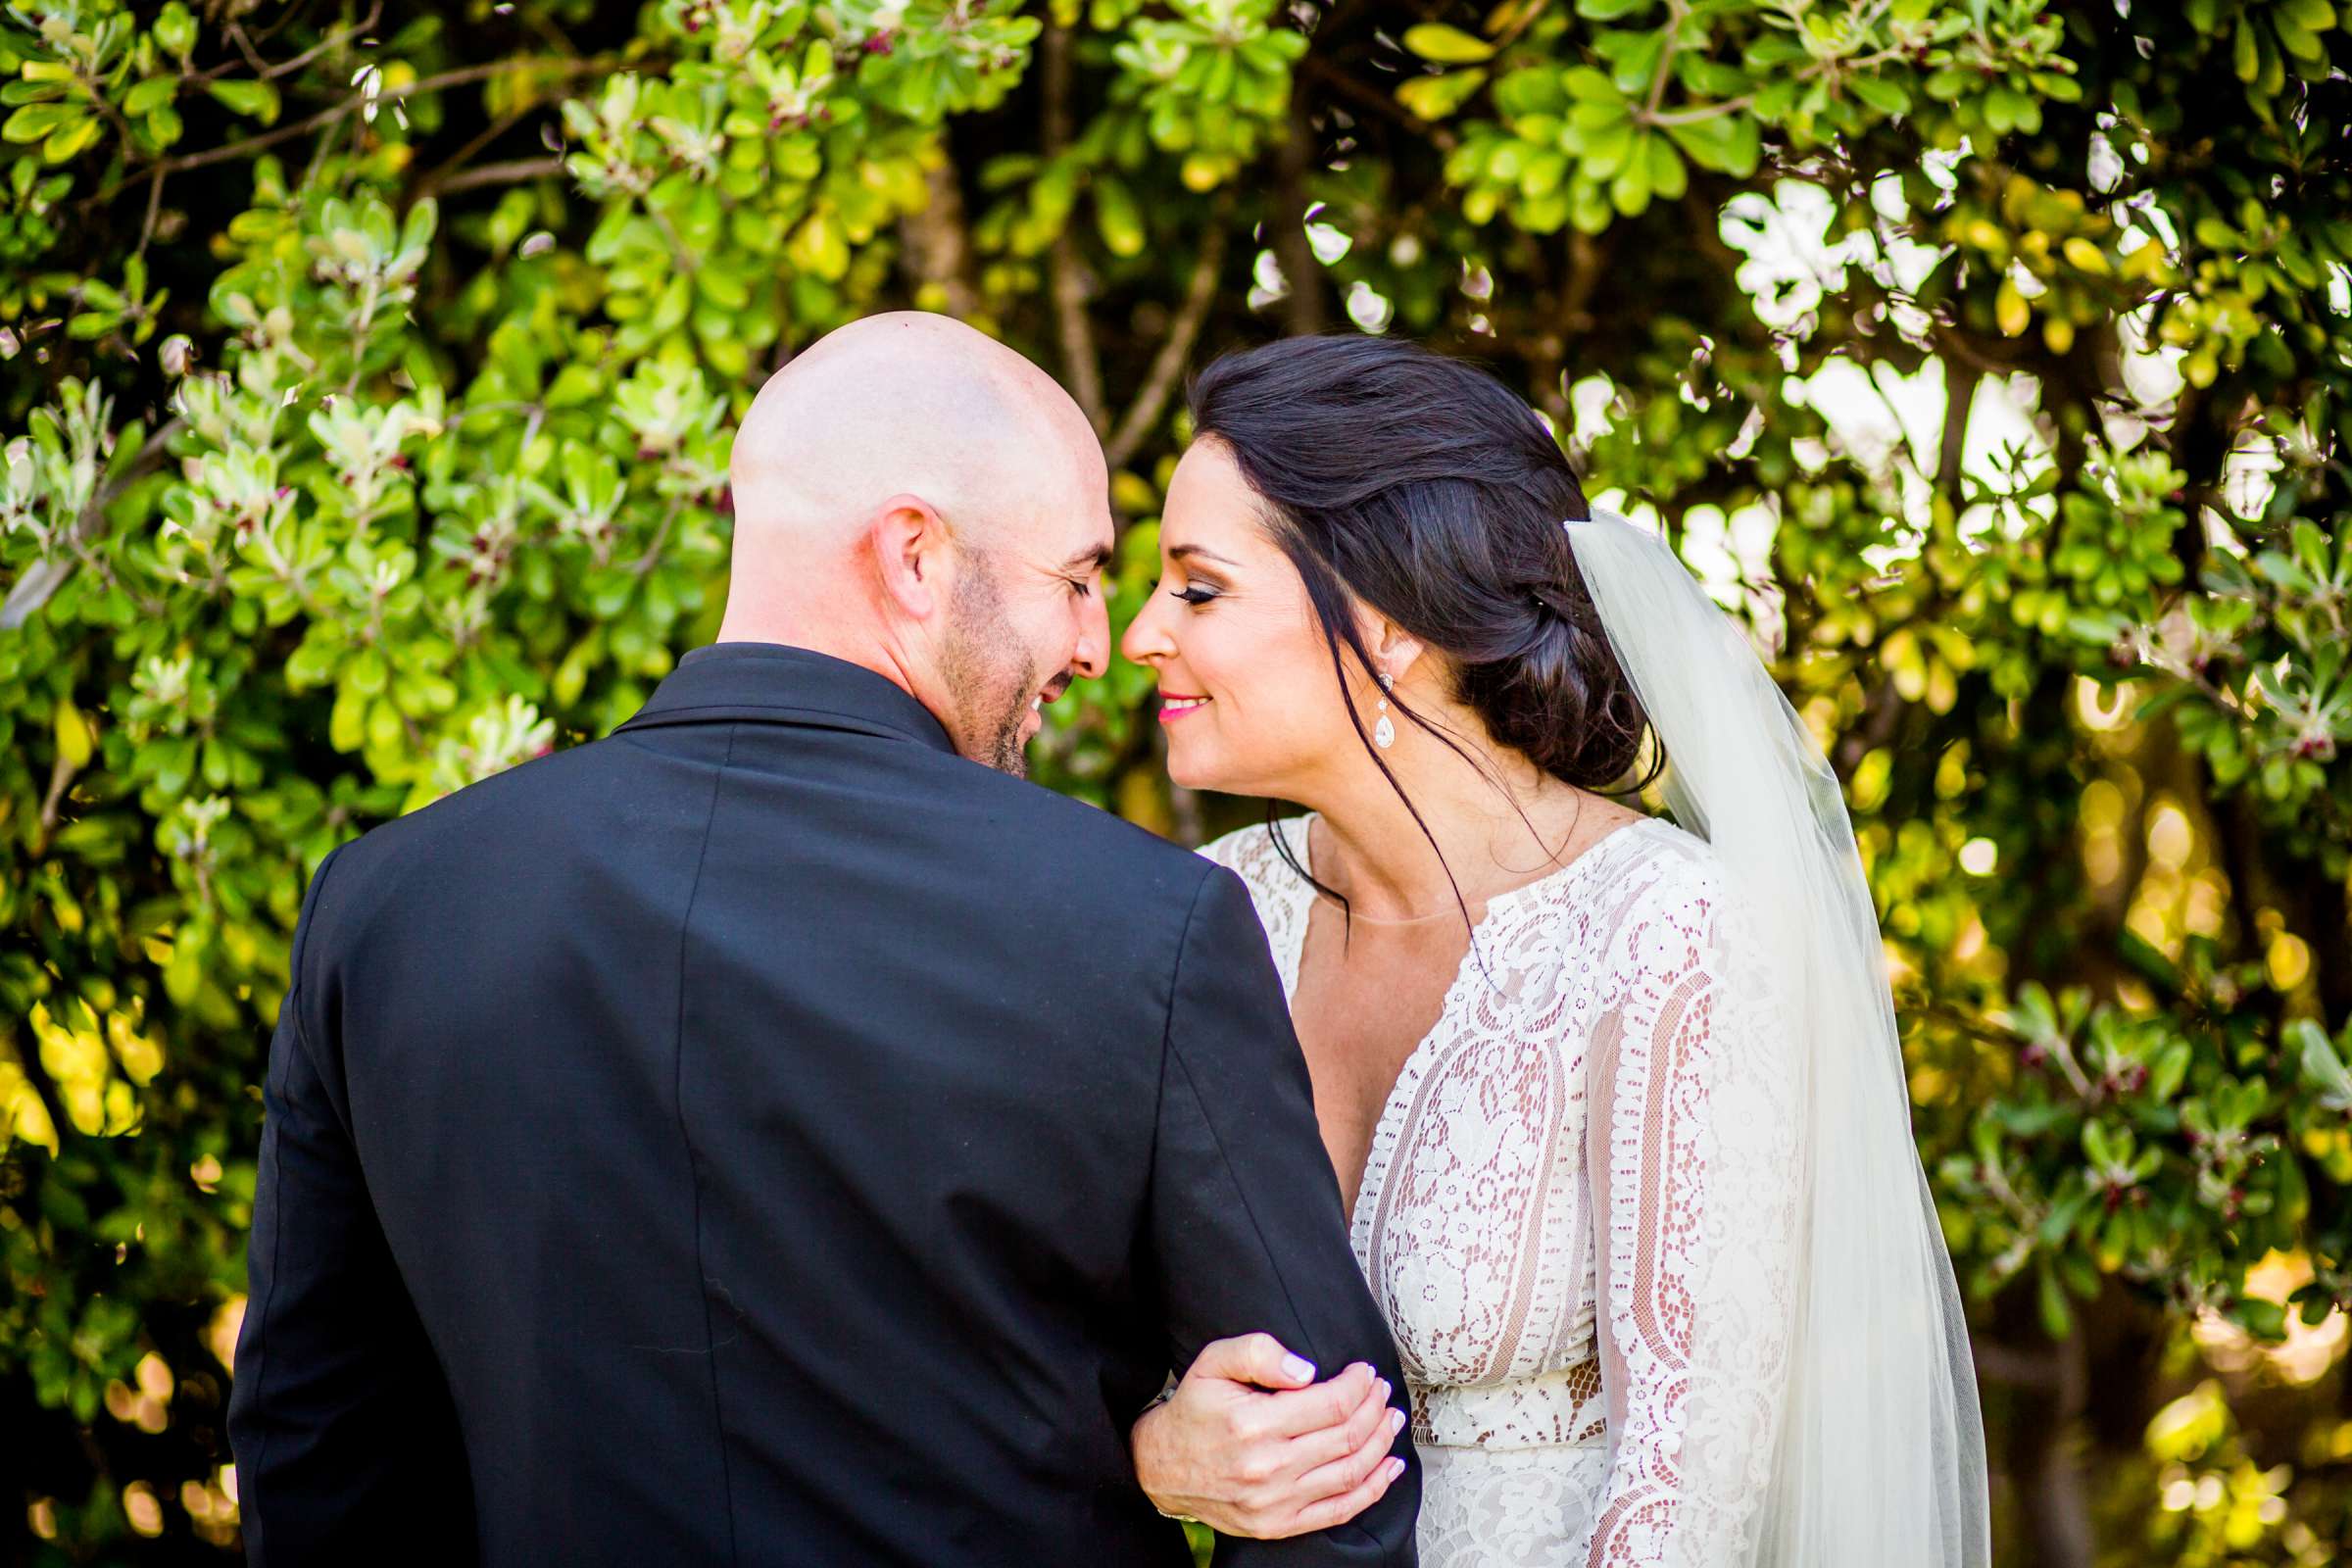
1880	1456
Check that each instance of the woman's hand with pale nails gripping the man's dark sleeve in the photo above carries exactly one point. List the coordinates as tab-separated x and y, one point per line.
1255	1447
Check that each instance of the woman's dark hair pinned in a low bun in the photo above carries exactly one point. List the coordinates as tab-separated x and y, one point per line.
1431	492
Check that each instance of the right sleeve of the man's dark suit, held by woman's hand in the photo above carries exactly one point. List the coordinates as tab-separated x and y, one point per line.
1245	1212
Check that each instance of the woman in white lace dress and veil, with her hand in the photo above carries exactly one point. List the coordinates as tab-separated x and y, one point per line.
1617	1104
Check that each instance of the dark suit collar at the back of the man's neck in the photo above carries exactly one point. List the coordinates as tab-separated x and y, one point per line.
784	685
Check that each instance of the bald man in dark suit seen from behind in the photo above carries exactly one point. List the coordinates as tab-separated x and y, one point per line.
768	1137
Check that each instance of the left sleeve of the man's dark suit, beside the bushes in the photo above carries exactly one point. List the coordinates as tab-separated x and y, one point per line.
340	1416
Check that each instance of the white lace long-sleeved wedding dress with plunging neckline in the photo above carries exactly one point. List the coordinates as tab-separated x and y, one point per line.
1579	1212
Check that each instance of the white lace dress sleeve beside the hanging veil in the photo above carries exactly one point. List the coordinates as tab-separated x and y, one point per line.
1697	1184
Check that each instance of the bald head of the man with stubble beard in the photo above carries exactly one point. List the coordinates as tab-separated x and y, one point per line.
918	500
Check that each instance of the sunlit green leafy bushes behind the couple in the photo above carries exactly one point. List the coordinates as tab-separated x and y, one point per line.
368	375
